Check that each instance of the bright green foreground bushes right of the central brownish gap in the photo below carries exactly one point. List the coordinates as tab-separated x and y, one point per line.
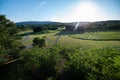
95	64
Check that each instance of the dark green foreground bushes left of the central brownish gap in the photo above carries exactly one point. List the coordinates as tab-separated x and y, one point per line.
38	62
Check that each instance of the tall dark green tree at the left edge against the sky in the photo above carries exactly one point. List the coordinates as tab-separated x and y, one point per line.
9	44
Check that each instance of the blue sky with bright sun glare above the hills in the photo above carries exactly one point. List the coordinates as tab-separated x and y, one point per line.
60	10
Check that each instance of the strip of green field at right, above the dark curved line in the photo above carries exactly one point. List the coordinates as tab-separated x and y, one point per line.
102	35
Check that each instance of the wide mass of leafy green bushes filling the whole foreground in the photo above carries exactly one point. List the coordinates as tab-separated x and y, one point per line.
59	63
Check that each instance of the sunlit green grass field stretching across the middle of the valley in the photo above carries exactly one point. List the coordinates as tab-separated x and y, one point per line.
68	41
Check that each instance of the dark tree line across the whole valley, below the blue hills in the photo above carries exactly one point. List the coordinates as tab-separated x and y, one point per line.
82	27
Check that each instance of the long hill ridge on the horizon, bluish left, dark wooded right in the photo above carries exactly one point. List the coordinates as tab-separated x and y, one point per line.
82	27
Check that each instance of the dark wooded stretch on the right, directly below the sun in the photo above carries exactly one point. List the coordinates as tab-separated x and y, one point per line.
95	26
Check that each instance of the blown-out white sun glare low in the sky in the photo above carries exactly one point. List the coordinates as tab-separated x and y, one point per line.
87	11
